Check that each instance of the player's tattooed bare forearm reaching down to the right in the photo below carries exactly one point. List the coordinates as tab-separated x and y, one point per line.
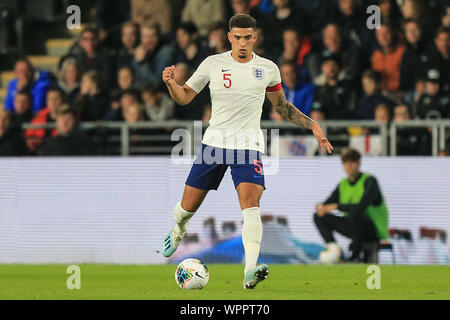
290	113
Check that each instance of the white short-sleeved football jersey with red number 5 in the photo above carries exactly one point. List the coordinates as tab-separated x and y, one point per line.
237	96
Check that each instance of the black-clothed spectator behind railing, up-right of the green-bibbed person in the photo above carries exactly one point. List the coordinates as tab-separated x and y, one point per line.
410	141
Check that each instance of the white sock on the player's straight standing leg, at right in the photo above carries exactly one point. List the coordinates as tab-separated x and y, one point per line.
251	236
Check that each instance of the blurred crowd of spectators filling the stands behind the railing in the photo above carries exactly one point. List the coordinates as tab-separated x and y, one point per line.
333	65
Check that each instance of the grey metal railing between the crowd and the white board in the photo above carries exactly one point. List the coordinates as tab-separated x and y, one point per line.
336	131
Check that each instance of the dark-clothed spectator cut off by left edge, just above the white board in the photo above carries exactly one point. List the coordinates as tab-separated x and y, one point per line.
12	143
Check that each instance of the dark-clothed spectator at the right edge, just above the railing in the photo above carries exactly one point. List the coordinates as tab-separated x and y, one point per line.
433	104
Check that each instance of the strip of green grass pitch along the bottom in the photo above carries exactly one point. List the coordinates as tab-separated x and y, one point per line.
285	282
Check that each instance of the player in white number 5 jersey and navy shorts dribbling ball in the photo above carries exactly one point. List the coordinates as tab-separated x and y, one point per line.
238	81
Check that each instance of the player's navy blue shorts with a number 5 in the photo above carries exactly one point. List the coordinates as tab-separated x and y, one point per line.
211	164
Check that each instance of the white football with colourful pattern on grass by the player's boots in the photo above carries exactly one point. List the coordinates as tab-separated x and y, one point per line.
192	274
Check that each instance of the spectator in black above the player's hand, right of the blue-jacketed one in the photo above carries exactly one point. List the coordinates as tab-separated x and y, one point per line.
336	98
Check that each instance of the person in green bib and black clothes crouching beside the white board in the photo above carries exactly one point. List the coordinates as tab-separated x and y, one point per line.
364	217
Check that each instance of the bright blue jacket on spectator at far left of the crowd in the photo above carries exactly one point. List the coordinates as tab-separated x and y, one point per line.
42	81
